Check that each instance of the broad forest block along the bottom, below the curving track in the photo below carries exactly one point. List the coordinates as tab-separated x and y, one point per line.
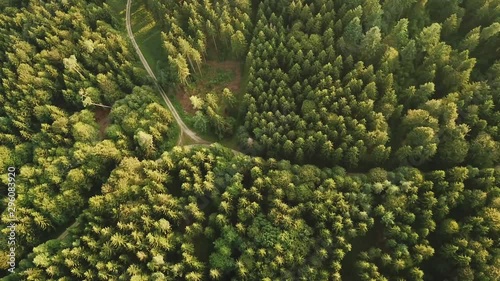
311	218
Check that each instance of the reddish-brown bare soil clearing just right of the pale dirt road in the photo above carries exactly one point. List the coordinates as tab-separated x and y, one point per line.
234	67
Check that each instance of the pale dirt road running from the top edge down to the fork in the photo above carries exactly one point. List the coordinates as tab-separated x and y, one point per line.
184	129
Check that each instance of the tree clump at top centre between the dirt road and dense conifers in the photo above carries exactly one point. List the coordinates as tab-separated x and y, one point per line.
224	26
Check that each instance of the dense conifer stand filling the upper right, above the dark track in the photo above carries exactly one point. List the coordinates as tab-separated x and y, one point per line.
365	84
